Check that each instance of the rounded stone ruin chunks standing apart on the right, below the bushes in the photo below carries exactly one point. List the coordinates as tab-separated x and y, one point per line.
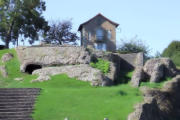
154	70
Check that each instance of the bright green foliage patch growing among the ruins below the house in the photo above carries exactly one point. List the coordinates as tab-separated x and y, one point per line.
102	65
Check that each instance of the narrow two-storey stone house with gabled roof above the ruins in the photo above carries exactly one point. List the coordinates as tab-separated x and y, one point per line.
99	32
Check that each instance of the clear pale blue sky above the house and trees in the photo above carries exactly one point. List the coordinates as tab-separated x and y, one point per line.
157	22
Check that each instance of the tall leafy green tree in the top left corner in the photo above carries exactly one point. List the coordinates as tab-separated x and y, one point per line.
21	18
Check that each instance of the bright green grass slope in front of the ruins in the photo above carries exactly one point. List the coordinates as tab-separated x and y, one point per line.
67	97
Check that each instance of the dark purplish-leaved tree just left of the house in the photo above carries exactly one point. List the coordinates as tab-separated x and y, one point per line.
60	32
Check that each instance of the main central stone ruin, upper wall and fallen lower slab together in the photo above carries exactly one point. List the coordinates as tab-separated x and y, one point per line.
74	61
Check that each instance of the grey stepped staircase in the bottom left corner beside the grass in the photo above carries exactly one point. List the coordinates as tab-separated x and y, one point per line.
17	103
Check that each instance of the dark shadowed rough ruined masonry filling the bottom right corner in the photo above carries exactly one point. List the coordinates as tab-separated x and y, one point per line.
159	104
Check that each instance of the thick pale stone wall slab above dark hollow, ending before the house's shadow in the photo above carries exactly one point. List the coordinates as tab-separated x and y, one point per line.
52	56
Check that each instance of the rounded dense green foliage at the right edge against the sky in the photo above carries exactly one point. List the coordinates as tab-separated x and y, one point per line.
173	52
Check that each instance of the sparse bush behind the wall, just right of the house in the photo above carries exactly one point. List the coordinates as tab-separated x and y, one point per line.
134	45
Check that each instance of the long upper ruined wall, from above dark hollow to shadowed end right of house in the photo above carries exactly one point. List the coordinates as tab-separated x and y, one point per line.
37	57
